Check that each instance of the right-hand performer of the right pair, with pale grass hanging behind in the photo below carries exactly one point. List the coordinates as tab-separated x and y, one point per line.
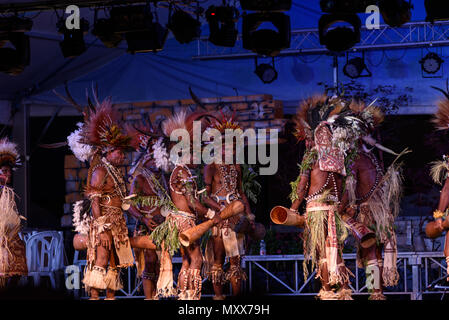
371	196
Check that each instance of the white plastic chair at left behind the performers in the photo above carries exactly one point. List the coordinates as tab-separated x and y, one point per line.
45	255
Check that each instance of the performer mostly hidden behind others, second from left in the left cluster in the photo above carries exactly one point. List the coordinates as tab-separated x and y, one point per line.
150	206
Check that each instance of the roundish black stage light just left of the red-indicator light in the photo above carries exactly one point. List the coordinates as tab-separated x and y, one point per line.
184	27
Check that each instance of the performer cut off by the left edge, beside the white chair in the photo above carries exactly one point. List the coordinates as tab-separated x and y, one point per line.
12	249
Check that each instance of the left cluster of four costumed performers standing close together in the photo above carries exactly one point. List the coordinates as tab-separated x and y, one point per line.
165	199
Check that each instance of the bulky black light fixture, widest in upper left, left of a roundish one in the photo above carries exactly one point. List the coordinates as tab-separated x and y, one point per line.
141	33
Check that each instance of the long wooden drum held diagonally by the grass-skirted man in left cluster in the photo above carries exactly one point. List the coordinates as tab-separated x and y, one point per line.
191	235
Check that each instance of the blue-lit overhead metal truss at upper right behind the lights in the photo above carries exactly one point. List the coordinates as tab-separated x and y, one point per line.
306	41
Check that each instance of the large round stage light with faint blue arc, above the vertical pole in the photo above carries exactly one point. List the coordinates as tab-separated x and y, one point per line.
339	31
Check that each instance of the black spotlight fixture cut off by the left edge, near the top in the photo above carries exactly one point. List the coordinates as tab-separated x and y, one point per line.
16	57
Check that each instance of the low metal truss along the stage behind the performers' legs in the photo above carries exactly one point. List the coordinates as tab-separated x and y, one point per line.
282	275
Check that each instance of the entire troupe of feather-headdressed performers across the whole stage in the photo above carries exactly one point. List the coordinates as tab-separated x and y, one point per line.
342	181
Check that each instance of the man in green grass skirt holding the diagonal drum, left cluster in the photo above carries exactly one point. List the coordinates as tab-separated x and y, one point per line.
185	196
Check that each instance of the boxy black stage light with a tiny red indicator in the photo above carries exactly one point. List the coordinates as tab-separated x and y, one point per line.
222	30
